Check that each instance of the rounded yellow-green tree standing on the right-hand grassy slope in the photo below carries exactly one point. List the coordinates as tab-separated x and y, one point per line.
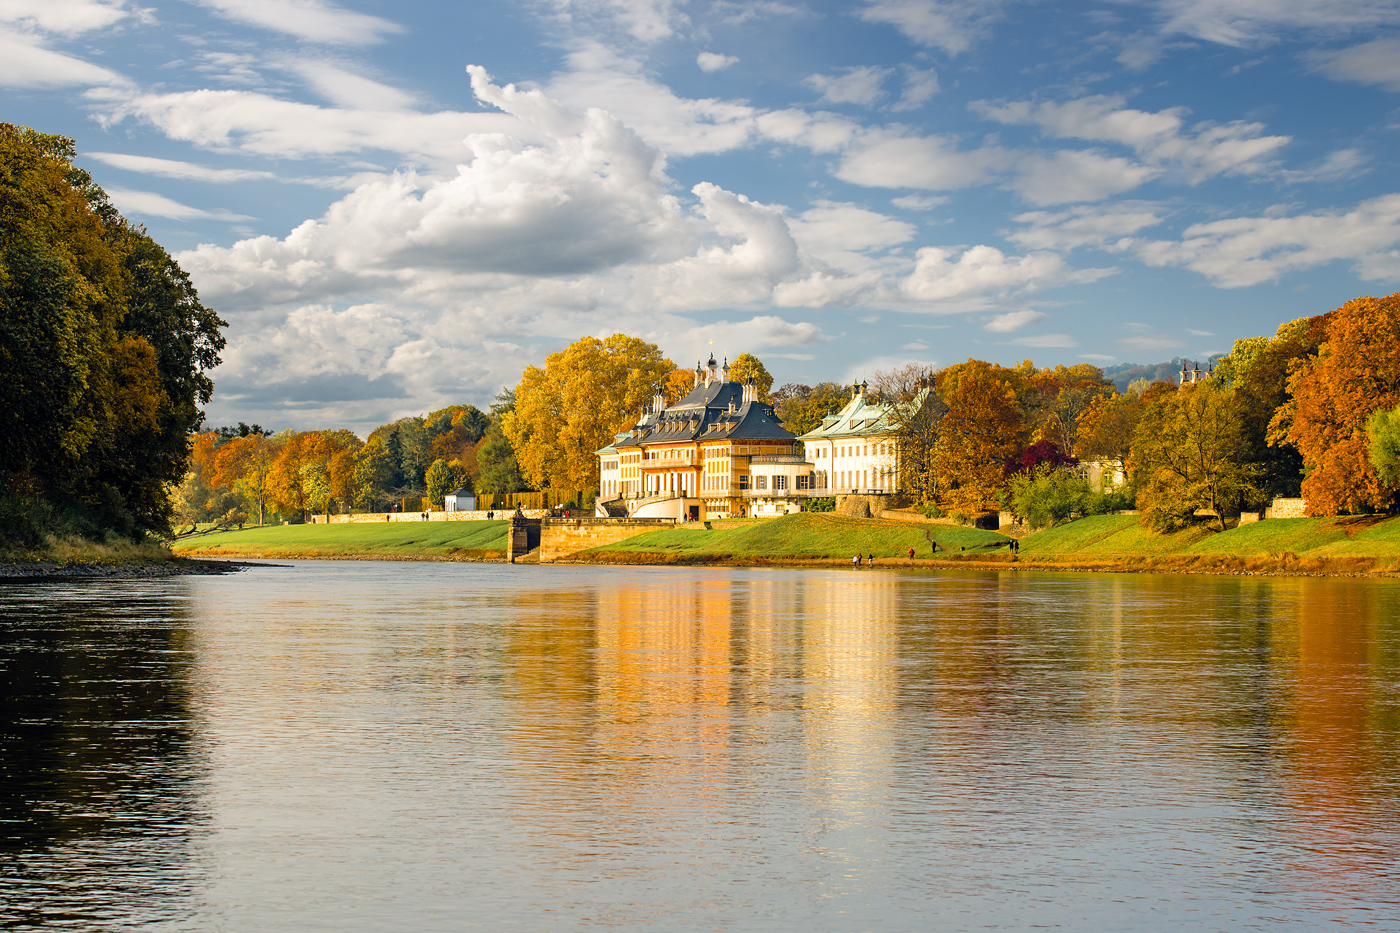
1189	453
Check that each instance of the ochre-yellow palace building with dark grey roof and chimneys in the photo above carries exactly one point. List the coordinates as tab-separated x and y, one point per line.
719	453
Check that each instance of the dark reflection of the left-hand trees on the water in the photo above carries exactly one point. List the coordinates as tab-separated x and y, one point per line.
99	764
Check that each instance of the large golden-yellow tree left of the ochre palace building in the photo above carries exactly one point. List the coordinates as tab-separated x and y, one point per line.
577	404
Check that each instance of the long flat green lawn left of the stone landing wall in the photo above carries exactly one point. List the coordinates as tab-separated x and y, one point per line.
353	540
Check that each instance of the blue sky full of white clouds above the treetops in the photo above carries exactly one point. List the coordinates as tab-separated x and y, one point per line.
400	207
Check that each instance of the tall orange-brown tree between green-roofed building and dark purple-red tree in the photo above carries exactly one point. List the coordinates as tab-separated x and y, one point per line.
982	429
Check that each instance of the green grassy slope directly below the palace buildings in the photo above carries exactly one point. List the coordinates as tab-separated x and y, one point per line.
807	536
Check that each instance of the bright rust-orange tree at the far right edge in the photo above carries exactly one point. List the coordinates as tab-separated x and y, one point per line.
1356	372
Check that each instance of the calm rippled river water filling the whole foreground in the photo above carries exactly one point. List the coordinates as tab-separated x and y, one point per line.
482	747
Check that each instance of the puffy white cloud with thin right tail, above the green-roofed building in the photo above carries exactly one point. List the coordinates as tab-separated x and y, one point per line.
986	272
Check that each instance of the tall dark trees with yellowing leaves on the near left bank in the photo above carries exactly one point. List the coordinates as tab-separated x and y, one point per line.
104	355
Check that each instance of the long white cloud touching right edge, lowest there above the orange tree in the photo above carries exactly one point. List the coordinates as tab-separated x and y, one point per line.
1247	251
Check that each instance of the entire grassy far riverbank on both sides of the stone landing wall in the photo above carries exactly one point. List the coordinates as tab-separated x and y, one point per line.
1352	546
